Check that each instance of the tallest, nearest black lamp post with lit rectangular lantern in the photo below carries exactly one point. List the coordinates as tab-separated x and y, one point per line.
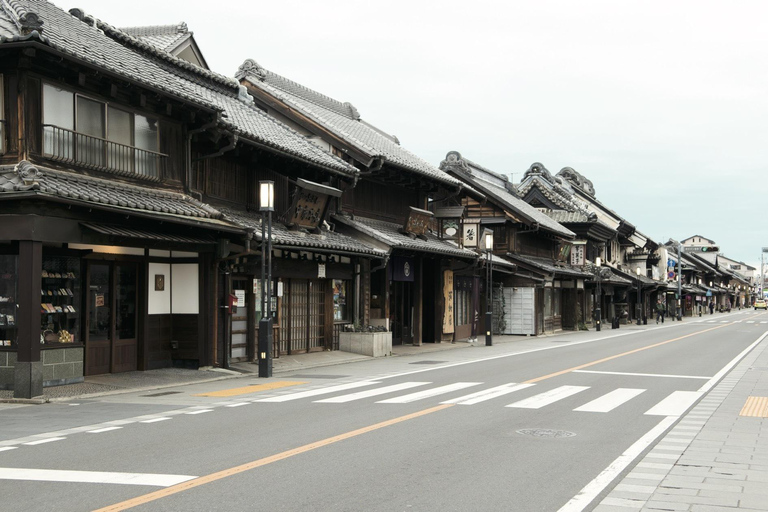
266	207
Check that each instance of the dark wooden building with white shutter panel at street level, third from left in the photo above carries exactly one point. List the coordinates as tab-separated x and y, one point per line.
543	292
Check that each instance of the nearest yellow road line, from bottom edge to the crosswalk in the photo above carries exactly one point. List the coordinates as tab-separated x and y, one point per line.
191	484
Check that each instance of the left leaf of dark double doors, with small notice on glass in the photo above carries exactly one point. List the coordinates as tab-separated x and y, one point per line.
98	332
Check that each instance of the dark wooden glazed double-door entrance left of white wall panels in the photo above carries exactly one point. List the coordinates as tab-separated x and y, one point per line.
111	343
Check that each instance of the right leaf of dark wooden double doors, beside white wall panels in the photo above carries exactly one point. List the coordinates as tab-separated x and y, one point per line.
125	342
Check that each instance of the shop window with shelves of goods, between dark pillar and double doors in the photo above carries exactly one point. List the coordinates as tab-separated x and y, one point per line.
60	300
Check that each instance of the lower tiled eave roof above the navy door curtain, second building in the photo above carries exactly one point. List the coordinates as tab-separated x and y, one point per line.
389	234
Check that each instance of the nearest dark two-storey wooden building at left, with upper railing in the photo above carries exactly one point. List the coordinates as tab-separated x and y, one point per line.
128	182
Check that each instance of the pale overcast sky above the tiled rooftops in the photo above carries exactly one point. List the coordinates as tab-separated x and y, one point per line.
662	105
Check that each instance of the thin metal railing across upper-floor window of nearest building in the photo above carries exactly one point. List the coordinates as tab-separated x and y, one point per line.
68	146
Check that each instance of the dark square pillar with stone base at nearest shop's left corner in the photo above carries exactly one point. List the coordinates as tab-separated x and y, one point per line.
28	373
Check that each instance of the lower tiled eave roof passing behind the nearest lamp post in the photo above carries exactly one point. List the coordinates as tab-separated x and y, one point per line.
282	236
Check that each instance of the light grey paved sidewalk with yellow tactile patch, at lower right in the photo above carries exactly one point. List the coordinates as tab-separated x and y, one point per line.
715	459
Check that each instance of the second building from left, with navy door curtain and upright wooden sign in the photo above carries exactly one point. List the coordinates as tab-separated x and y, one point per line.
391	207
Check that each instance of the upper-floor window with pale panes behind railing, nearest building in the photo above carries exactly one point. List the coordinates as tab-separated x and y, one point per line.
81	130
